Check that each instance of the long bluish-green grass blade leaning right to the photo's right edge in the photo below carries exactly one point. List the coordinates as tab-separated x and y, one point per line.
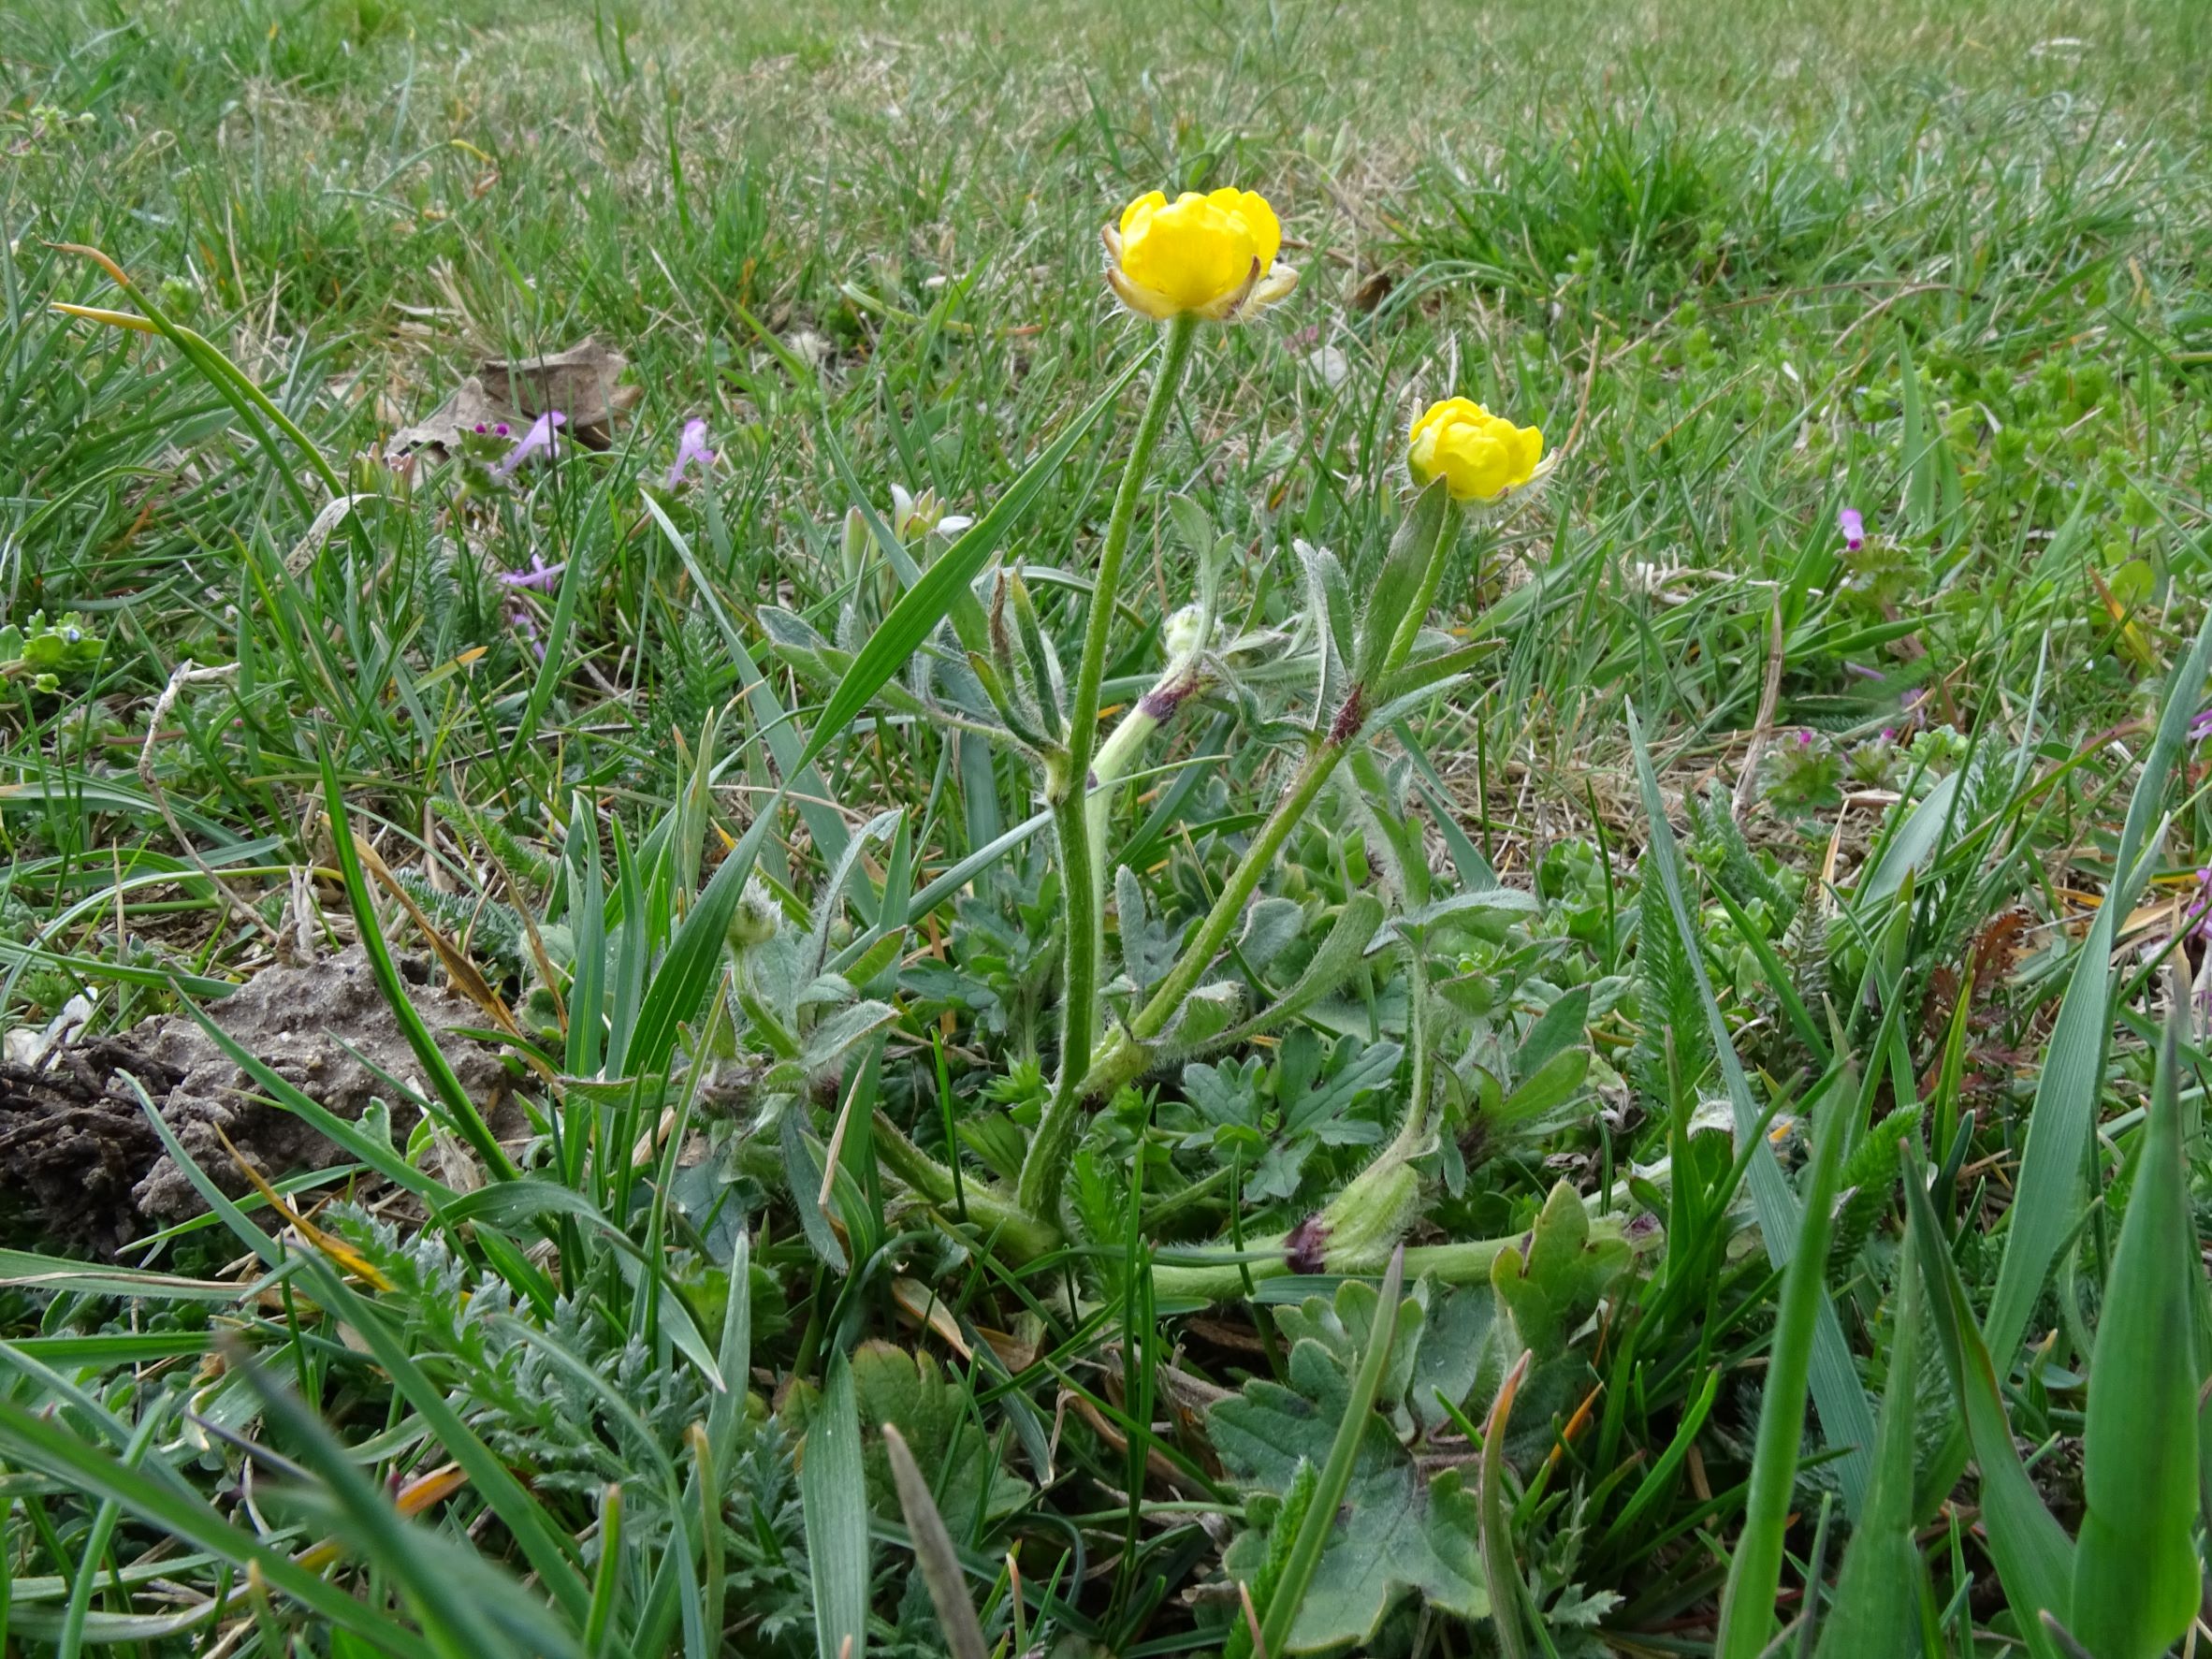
2049	1198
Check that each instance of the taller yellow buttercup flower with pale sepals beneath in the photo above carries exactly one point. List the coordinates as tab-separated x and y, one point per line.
1209	255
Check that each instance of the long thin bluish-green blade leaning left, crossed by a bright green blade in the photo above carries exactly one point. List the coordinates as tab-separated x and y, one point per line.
1837	1392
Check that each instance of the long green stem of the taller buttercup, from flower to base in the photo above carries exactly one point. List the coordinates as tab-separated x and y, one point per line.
1043	1169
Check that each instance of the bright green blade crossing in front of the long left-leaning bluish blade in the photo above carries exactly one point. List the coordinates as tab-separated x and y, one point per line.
1755	1572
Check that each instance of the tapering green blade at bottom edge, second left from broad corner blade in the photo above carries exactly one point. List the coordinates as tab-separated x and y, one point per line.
1877	1605
